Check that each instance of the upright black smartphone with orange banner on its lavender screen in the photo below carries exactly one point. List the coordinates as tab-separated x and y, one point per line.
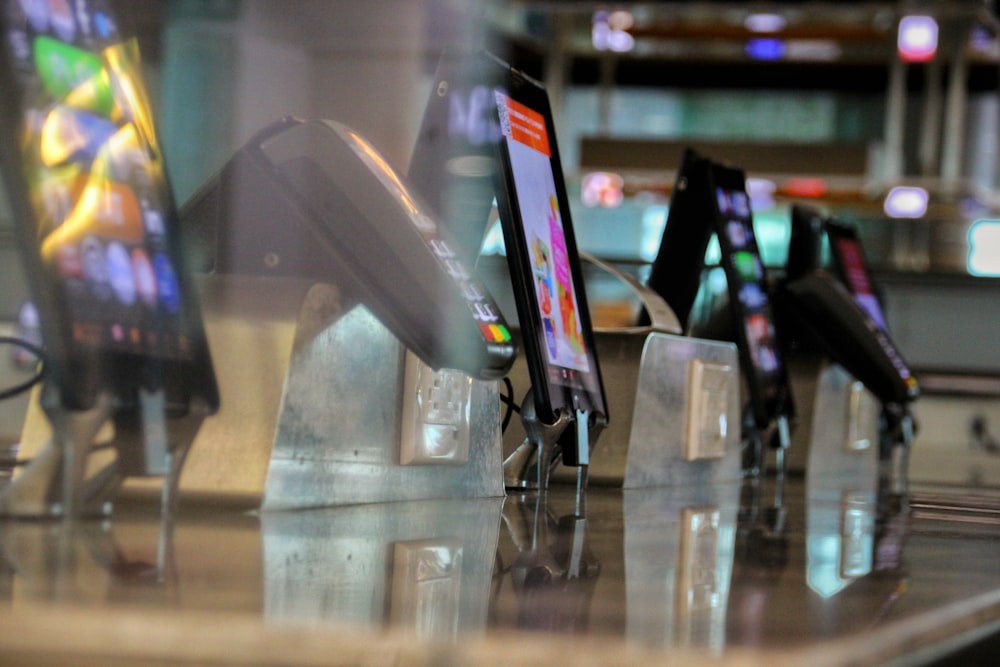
542	255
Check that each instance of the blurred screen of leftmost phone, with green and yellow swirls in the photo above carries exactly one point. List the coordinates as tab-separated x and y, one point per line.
96	177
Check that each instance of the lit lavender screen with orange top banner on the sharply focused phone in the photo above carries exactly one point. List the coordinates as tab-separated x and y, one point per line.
524	131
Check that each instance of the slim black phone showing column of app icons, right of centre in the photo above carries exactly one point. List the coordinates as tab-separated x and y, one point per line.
750	304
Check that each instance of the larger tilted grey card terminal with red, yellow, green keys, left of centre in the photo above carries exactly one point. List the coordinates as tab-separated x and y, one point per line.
314	199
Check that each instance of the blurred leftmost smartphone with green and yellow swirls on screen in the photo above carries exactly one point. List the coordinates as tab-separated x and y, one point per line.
88	189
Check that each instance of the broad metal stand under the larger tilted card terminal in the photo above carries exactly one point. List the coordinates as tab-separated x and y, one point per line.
313	406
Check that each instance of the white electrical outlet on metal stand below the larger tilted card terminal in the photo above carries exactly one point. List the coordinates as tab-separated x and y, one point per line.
436	412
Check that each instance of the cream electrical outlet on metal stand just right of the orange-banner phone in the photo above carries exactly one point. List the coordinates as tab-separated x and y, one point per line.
709	385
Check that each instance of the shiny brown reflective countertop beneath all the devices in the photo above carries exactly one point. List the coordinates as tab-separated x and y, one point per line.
815	570
